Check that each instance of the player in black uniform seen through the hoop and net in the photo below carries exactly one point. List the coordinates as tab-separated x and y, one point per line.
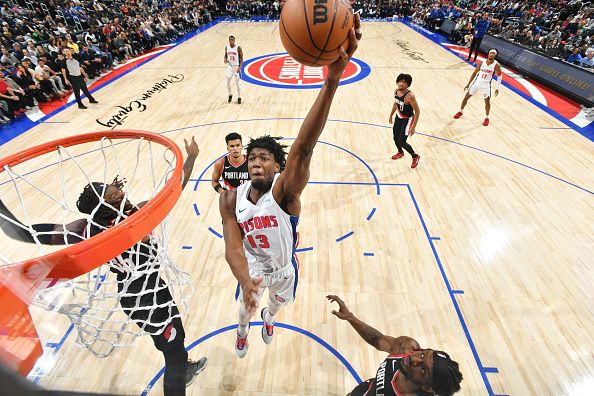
138	293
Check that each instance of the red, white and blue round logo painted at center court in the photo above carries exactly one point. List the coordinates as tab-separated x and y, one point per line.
282	71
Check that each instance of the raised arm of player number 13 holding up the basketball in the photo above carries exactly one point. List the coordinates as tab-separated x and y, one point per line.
296	174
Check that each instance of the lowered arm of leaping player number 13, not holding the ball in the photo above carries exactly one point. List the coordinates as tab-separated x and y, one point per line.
234	250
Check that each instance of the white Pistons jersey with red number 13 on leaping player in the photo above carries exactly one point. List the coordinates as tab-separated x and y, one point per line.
270	234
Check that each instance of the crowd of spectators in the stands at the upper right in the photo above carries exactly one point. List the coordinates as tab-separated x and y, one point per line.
559	29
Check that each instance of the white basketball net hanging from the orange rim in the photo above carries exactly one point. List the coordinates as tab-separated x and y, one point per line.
137	292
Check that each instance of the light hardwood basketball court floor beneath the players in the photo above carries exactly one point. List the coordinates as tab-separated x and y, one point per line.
505	212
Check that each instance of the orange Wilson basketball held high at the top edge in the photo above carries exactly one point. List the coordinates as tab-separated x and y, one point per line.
312	31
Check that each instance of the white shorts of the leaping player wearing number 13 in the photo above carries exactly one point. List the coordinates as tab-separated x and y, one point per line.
281	285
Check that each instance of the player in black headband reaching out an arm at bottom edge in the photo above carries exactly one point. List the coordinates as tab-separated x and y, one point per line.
408	370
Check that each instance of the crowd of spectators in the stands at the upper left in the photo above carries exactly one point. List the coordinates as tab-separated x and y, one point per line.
101	33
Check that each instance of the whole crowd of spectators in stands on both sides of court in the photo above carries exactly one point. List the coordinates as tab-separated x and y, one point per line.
105	33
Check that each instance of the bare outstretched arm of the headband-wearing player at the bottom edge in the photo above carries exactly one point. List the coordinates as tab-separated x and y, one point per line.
372	336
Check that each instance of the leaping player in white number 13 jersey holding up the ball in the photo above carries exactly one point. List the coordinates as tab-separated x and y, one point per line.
260	217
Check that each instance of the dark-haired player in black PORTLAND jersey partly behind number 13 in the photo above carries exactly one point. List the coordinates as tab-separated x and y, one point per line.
232	167
